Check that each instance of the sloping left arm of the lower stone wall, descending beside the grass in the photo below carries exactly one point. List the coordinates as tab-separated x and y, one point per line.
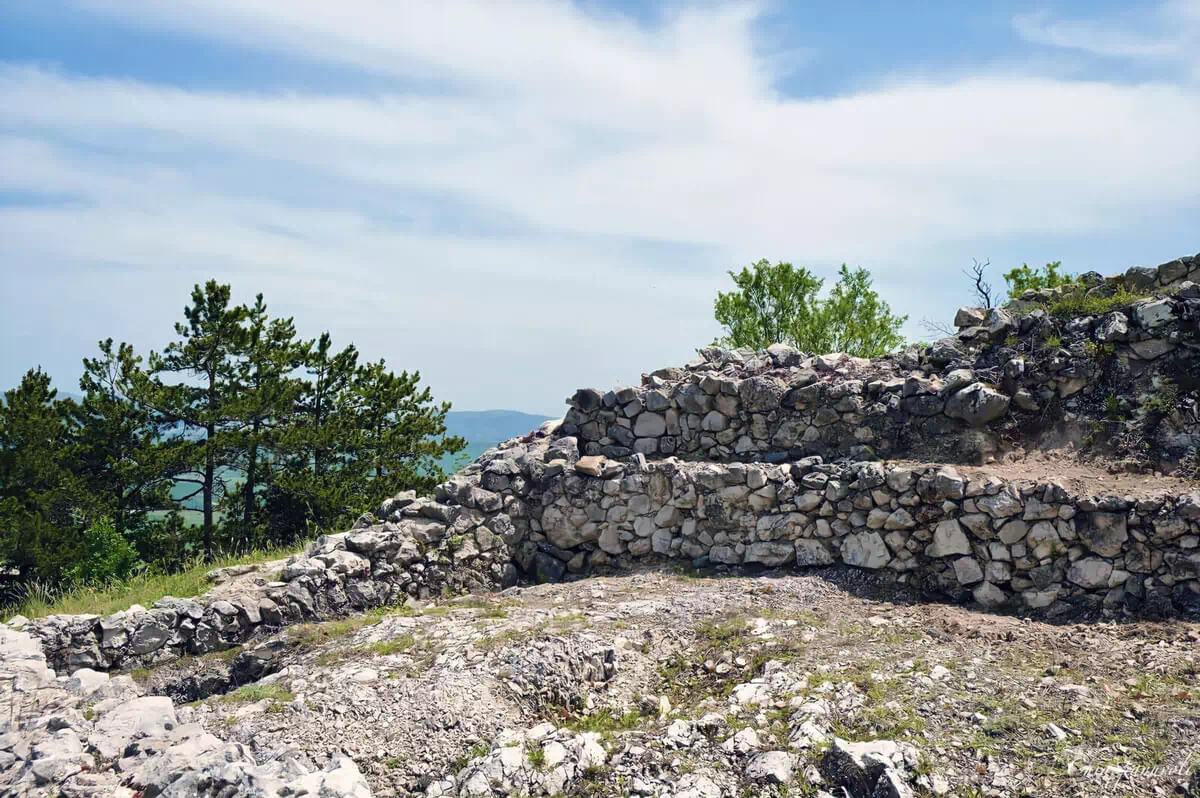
411	548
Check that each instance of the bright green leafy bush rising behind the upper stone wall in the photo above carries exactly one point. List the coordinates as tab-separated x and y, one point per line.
781	304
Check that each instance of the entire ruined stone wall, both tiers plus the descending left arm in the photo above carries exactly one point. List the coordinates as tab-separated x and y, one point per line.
721	464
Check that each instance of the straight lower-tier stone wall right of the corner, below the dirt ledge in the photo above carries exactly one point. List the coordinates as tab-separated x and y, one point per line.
1022	545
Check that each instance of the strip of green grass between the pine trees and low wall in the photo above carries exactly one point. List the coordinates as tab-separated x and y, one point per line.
145	590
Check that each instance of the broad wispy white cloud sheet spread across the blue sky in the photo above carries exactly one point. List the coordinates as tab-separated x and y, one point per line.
584	135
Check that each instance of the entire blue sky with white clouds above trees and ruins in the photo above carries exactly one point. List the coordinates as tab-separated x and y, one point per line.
520	199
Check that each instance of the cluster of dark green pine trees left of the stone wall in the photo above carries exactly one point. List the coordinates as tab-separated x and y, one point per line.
274	437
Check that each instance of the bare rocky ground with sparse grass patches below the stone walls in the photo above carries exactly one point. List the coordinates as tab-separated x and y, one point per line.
673	685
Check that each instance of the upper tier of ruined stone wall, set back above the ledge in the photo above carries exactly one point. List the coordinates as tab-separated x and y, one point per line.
1009	380
